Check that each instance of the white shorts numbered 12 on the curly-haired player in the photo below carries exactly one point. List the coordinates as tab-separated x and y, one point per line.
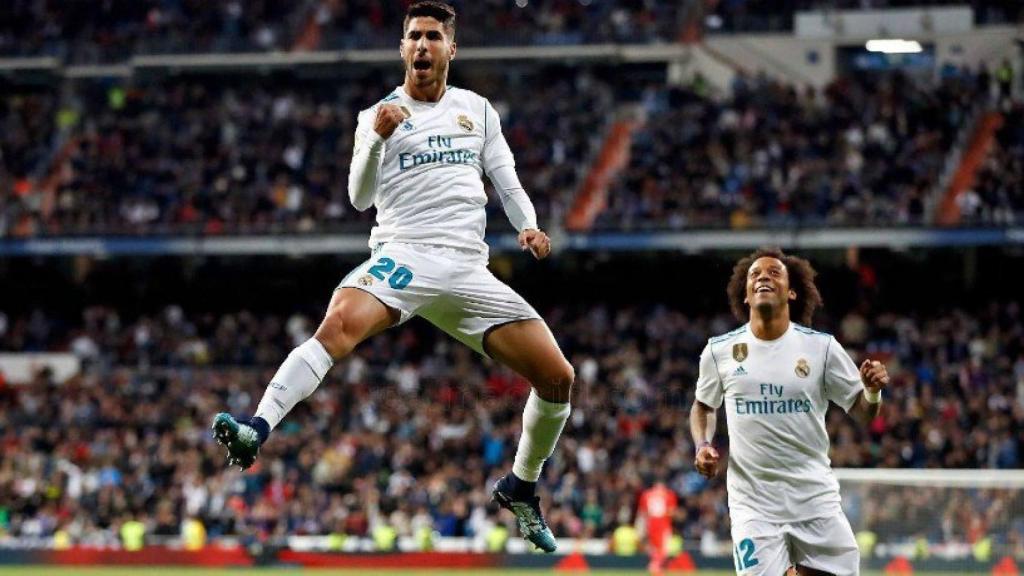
770	549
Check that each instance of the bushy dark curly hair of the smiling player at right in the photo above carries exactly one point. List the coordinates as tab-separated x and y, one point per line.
802	276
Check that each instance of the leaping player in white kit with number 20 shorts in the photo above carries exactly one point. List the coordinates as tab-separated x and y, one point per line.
420	154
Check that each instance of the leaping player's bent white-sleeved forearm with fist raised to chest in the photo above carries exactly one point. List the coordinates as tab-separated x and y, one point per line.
368	156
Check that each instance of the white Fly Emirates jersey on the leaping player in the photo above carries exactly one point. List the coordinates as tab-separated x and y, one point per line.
430	190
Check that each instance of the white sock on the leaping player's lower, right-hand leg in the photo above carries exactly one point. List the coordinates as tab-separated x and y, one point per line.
542	425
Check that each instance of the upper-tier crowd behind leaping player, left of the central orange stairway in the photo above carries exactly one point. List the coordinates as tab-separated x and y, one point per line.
245	157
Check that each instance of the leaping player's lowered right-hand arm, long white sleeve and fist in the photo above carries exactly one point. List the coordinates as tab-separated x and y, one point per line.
499	164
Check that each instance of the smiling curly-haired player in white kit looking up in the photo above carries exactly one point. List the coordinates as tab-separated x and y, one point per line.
777	379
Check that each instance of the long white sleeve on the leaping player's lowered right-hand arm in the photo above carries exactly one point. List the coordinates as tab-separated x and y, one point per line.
499	164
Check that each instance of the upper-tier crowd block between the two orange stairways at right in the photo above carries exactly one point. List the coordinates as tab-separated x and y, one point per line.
866	151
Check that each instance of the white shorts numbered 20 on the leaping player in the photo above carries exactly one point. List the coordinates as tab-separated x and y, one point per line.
450	287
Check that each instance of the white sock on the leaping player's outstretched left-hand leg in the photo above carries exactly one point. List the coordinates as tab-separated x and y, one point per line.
298	377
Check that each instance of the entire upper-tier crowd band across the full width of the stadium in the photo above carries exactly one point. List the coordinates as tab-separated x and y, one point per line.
249	156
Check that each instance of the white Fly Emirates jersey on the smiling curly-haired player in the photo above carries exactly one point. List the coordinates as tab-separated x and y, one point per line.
776	395
